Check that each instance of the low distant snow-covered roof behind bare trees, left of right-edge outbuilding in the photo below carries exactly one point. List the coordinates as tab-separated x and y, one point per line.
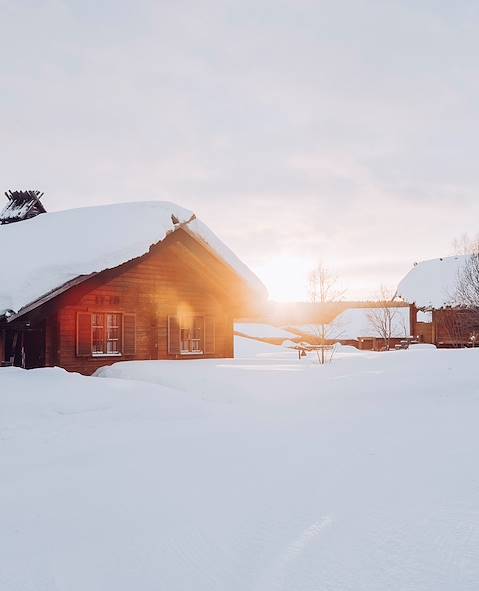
354	323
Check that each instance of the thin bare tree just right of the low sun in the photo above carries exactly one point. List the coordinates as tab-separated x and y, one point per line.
323	289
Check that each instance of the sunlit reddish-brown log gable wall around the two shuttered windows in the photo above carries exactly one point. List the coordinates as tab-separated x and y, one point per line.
161	284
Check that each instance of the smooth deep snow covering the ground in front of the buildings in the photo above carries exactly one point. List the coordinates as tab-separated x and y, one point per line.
260	473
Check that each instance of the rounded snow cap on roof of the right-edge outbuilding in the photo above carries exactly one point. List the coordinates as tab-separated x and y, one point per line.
432	284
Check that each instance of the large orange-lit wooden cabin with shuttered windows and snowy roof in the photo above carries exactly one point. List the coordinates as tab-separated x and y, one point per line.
160	285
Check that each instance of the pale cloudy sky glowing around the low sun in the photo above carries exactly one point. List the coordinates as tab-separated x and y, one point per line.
299	131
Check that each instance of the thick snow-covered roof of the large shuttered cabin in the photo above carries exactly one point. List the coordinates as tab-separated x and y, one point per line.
42	254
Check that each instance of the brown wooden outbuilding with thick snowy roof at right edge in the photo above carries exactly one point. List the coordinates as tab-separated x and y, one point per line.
437	317
